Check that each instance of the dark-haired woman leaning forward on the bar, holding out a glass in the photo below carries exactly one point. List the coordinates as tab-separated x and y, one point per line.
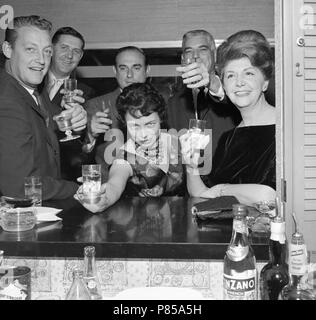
148	163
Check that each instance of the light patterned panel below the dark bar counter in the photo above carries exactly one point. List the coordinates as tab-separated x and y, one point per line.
53	277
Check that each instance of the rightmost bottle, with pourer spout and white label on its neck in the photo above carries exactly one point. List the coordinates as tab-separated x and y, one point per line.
295	290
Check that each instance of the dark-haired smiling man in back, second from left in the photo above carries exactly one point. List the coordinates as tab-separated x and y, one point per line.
68	45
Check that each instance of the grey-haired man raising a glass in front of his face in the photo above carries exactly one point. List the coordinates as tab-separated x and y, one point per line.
212	105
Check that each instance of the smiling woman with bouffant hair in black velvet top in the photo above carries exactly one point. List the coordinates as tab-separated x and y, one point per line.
244	162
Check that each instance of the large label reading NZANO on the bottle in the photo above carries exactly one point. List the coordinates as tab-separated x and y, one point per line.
241	286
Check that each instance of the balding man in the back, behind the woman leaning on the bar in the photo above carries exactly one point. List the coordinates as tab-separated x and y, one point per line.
130	66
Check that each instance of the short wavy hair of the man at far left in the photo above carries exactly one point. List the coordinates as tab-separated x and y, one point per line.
26	21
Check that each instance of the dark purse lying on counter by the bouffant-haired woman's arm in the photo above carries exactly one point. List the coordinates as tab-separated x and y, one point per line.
215	208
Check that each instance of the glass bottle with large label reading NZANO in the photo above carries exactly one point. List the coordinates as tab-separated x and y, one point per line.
240	273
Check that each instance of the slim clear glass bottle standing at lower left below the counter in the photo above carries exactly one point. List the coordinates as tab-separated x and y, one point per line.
90	275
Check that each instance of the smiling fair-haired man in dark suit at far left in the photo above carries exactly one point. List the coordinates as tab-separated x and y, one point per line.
28	144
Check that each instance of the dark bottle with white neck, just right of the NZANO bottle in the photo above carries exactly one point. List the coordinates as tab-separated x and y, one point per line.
274	275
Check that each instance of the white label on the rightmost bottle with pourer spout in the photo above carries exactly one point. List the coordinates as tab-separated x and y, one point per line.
298	259
